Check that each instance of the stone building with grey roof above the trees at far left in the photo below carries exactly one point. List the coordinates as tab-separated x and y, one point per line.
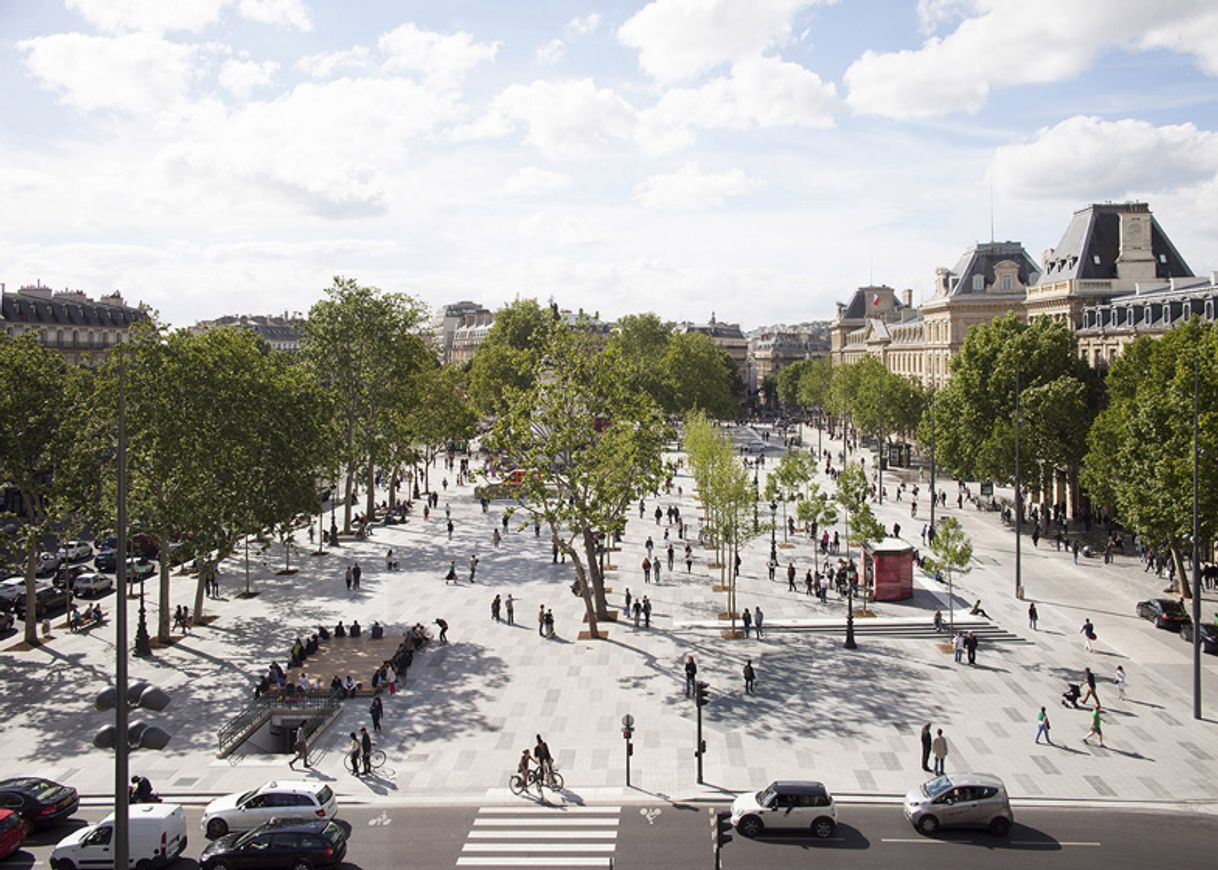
81	330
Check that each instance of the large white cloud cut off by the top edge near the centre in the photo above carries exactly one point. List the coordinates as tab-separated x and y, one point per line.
678	40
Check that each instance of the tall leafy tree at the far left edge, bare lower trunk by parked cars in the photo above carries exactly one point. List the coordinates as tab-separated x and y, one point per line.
32	409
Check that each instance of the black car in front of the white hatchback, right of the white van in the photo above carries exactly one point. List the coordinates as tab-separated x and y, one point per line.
289	845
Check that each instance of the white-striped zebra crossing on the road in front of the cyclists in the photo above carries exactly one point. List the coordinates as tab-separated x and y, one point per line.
543	838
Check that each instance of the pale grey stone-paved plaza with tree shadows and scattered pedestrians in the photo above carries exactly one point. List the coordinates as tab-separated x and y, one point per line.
820	712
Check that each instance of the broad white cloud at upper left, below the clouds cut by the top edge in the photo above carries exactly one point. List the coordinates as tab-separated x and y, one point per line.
136	72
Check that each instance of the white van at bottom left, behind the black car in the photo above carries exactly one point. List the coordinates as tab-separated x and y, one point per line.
158	836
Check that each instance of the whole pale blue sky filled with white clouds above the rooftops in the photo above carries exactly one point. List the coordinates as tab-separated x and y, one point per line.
752	158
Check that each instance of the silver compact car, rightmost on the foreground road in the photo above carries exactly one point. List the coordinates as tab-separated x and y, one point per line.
960	801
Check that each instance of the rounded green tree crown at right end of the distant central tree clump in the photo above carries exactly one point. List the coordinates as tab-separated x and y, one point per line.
702	376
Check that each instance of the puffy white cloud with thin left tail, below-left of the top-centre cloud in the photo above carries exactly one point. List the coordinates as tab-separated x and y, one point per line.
563	119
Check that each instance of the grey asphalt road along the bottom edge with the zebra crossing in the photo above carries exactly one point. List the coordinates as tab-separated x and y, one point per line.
675	836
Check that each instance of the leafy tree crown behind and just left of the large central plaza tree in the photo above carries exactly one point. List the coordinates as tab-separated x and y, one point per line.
511	355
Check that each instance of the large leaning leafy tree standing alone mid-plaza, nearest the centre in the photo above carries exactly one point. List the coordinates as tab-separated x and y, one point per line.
589	447
